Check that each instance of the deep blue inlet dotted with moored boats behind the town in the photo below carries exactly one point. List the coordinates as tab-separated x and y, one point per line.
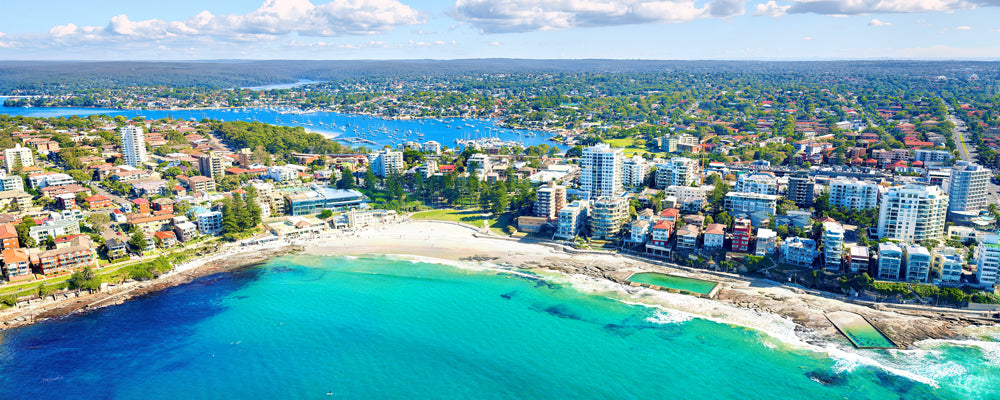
334	125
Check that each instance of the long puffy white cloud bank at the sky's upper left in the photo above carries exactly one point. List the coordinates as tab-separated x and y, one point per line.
273	19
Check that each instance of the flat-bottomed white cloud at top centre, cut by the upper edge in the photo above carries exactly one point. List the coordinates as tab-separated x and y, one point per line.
543	15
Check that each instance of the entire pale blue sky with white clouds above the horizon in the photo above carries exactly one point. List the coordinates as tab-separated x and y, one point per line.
540	29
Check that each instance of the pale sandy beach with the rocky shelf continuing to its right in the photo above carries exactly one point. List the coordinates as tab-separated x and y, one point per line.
757	304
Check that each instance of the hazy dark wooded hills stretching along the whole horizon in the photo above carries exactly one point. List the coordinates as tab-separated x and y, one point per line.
53	77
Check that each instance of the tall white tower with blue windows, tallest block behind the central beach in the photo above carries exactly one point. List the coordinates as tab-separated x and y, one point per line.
601	171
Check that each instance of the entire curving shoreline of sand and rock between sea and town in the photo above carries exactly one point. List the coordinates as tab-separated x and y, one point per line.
740	299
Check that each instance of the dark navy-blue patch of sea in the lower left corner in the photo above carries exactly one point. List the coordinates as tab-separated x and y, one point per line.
57	356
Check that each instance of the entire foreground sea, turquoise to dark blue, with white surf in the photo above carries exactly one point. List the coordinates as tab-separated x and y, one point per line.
300	327
